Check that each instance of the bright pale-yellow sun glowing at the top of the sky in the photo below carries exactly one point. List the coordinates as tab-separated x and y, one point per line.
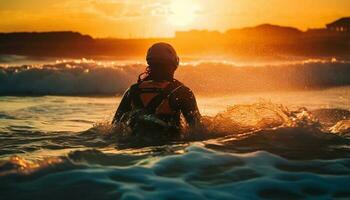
182	12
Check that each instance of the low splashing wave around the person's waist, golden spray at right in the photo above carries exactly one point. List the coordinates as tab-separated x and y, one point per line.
241	128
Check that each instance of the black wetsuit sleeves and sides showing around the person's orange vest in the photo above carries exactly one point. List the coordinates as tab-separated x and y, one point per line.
181	100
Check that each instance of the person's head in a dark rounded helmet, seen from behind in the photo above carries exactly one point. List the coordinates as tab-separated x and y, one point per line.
162	61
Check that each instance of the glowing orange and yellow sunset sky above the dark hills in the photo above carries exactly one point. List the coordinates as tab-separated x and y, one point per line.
152	18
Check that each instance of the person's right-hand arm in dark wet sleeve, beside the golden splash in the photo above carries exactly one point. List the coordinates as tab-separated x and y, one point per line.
188	106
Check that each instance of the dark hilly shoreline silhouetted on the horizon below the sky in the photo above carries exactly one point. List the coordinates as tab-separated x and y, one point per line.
263	40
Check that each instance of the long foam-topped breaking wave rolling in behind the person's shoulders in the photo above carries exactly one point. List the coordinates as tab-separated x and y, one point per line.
87	77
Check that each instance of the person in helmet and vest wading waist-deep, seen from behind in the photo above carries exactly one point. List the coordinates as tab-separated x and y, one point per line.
157	96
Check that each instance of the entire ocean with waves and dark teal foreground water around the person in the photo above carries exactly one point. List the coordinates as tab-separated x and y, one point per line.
272	131
